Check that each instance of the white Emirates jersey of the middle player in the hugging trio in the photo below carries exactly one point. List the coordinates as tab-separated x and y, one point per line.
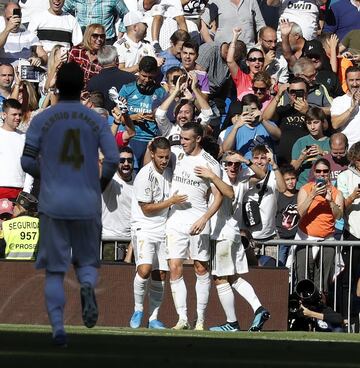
185	181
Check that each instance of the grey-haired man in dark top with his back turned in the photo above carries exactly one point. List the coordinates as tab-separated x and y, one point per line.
109	76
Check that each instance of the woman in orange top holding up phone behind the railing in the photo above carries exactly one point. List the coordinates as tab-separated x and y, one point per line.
319	205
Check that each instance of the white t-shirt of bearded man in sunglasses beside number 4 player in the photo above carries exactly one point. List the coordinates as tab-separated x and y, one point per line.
116	208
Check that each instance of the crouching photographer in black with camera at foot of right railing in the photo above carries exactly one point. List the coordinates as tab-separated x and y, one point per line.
309	312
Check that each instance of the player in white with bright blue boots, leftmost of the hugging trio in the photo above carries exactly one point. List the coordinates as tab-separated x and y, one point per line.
150	205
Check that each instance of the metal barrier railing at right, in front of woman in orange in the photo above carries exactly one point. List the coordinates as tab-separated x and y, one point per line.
321	244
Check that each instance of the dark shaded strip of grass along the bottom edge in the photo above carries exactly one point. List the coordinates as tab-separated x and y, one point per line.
19	349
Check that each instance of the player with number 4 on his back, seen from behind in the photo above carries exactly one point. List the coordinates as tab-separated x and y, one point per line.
61	148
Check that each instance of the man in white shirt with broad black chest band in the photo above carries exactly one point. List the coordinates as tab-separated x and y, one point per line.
53	27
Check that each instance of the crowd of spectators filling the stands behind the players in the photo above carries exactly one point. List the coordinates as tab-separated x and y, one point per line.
283	94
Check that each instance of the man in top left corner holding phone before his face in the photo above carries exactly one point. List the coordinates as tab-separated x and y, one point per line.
16	42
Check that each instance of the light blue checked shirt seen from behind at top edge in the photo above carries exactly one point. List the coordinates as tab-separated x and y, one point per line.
104	12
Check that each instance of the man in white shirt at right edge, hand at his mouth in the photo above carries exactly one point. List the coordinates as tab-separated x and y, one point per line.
345	113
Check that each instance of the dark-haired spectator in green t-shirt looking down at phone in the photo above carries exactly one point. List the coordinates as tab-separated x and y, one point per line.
310	147
